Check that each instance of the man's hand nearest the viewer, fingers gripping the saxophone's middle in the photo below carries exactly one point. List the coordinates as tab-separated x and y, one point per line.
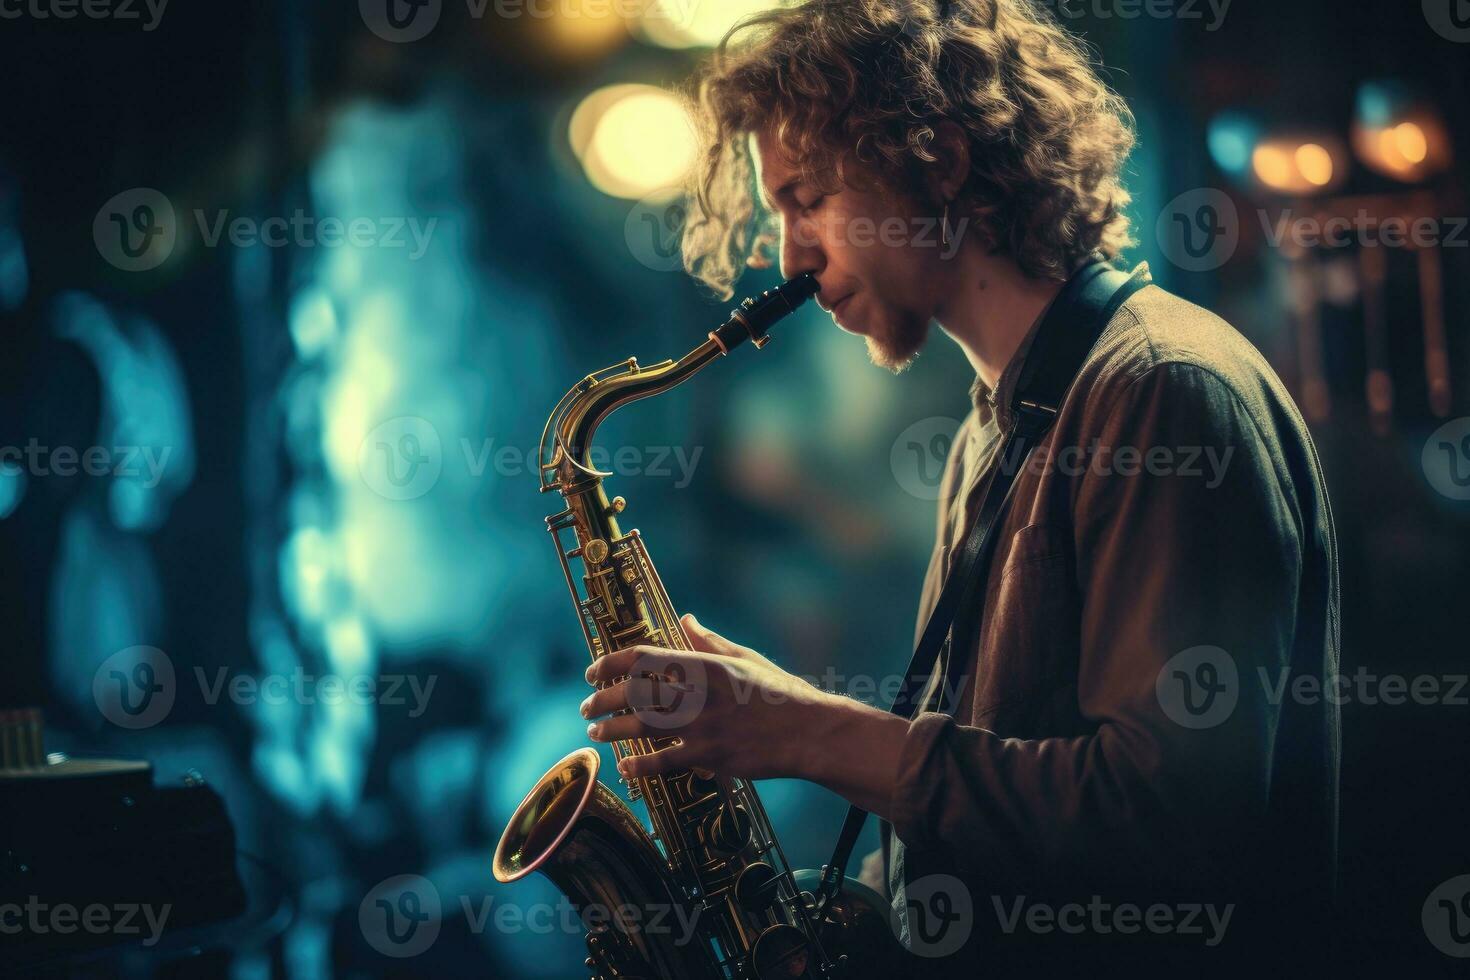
734	712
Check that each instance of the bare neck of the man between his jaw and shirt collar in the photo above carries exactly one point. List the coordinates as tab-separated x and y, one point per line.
989	308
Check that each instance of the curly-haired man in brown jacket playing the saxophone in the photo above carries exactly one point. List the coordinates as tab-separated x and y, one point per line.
1119	737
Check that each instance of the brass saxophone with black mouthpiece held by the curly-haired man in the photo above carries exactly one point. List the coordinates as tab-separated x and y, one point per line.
709	891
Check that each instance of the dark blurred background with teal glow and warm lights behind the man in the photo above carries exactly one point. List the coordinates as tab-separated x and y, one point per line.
509	170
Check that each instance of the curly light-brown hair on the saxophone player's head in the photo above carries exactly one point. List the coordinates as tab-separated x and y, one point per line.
871	80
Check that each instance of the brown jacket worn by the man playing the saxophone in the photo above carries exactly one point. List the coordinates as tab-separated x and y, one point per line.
1166	566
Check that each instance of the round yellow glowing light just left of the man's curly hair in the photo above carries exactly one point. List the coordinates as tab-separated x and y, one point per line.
634	143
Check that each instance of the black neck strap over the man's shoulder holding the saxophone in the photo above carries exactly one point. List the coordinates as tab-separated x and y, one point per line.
1066	334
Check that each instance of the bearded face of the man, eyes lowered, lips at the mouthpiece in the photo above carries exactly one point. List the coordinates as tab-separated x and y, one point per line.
874	253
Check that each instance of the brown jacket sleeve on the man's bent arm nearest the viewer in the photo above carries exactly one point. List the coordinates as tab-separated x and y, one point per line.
1188	599
